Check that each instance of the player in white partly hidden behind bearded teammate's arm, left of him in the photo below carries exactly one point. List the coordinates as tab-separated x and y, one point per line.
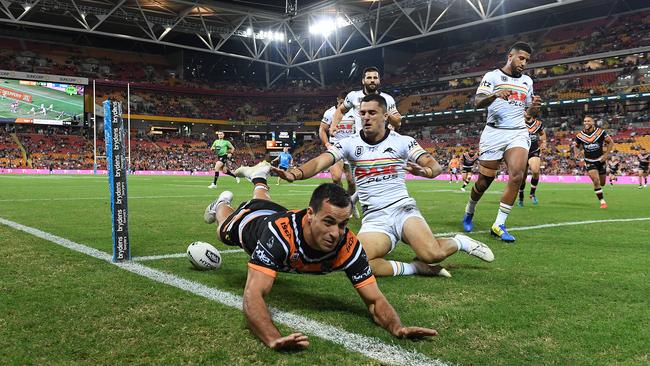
344	129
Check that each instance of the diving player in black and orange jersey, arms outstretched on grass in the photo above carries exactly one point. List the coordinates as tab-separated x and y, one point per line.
315	240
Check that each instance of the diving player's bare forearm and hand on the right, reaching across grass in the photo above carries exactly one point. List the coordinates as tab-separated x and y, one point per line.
384	315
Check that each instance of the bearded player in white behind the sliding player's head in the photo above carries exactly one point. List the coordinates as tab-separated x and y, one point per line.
371	83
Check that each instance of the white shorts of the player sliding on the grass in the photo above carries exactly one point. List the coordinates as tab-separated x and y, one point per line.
390	220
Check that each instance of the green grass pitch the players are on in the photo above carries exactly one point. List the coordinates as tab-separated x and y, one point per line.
562	295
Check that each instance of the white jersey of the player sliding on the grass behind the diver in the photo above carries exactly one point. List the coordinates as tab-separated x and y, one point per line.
379	168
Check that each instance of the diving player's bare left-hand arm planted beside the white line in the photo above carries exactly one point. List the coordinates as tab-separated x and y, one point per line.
258	318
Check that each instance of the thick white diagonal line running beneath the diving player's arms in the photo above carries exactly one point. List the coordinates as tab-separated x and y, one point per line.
367	346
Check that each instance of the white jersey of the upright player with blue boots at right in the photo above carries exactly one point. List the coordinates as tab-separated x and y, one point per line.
507	114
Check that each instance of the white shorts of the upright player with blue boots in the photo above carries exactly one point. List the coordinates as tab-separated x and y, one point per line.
495	141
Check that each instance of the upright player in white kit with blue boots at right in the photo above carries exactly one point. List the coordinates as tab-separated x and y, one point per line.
506	93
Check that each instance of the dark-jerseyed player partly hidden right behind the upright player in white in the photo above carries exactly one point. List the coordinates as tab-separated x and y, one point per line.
537	148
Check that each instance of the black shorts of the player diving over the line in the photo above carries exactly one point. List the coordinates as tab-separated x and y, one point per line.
242	227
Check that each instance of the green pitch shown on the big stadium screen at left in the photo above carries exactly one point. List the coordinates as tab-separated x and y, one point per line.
72	105
